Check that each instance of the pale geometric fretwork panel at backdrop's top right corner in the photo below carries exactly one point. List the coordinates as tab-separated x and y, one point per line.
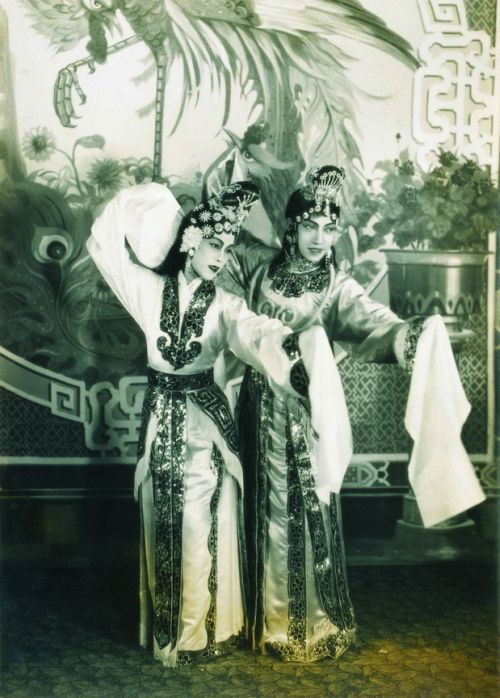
454	101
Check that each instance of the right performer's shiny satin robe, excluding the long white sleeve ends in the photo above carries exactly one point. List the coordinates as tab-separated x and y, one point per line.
299	605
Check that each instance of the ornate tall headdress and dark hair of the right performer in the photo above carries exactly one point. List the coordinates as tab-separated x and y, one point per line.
319	195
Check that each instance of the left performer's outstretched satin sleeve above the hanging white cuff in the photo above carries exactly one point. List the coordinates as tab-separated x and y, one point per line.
257	340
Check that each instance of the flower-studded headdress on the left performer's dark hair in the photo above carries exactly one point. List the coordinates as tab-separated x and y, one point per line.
221	213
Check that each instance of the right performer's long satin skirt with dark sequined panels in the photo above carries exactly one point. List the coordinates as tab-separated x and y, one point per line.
314	618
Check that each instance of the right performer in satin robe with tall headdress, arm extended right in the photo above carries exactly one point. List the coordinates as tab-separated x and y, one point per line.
295	450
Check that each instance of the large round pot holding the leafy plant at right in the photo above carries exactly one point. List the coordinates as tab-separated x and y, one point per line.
427	282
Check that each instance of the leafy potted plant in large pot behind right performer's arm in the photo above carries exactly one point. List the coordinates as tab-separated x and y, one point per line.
437	225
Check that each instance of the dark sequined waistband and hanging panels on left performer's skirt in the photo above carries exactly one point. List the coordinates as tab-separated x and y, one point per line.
166	398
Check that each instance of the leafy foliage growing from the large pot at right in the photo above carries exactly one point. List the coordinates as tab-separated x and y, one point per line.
454	206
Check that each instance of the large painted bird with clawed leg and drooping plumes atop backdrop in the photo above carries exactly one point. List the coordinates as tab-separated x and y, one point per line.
285	50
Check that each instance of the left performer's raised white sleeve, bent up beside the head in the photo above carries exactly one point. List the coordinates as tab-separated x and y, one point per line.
147	218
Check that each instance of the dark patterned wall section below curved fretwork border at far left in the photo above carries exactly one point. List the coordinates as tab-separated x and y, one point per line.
29	429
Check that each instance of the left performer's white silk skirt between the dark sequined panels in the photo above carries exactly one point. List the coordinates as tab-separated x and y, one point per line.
197	599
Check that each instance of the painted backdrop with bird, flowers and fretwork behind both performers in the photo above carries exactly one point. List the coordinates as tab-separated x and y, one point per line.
97	96
